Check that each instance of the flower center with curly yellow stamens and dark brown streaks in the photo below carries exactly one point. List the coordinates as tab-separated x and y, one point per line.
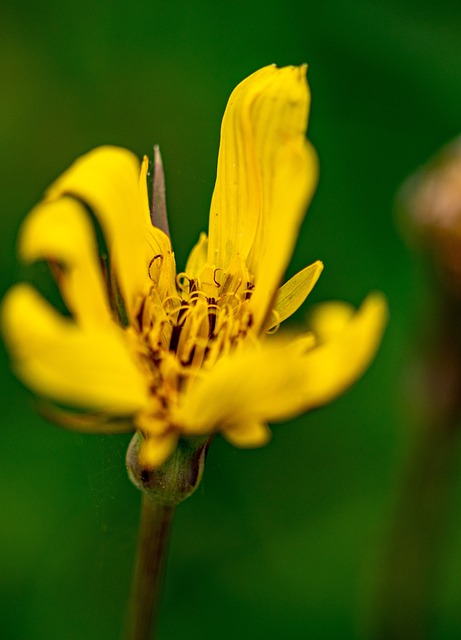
187	330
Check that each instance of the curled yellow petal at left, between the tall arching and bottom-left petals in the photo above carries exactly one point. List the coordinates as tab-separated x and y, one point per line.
60	231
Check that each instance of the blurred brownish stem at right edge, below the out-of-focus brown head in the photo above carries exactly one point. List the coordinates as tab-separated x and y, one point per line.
411	562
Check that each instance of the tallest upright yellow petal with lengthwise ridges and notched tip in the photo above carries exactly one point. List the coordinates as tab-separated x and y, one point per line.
266	175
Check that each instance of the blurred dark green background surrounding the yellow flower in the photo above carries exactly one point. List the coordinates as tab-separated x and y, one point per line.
282	542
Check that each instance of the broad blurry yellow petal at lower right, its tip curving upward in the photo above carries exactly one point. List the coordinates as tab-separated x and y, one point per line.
281	380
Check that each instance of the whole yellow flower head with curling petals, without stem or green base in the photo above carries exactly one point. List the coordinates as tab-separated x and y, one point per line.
188	354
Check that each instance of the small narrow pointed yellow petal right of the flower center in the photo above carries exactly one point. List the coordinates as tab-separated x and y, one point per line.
294	292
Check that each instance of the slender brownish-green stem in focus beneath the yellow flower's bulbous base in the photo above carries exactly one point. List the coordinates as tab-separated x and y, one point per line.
155	526
